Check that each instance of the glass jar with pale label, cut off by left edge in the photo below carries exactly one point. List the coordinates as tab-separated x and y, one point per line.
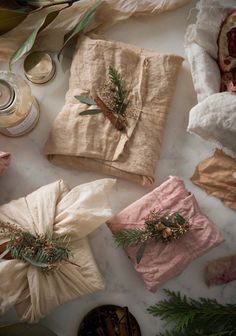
19	111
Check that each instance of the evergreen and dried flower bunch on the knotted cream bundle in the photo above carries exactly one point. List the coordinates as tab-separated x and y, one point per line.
44	251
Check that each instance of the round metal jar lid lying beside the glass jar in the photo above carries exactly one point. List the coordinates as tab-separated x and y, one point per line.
39	67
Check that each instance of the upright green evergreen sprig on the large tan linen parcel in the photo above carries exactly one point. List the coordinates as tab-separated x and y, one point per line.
120	93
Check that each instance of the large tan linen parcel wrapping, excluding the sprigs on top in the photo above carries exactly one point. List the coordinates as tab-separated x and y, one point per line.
92	142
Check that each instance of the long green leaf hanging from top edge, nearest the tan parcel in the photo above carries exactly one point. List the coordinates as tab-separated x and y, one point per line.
87	17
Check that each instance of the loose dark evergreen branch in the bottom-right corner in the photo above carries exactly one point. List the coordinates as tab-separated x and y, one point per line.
191	317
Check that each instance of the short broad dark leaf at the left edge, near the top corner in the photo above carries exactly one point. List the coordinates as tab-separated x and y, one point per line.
9	19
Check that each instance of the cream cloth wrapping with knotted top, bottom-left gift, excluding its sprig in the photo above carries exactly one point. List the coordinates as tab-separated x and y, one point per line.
57	210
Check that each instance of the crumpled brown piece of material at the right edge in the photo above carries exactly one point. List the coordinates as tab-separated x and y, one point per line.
217	176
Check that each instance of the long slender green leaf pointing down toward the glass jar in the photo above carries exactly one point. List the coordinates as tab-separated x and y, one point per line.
29	42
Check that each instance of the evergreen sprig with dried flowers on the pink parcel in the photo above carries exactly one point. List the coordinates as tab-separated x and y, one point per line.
157	226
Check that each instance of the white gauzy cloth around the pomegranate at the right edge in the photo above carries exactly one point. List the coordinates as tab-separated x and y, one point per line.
214	117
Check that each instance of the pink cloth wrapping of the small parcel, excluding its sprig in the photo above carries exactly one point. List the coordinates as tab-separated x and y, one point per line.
162	261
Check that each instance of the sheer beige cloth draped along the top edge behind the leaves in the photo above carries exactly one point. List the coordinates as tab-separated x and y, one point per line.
109	12
